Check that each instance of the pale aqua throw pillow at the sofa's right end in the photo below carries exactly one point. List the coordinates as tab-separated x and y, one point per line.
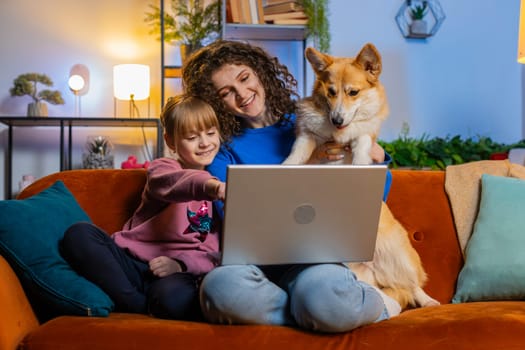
494	261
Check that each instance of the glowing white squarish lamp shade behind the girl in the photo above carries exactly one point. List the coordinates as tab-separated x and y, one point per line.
131	81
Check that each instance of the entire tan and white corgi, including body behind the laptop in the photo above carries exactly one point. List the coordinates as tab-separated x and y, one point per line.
348	105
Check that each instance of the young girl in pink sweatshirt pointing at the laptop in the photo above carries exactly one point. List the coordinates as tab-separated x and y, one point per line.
155	264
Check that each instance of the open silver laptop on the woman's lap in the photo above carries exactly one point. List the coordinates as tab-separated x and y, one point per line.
292	214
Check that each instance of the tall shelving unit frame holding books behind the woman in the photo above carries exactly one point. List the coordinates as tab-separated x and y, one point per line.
246	32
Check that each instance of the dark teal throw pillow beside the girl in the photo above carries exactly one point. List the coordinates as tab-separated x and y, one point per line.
30	231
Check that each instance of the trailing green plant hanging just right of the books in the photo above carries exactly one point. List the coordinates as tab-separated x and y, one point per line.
317	27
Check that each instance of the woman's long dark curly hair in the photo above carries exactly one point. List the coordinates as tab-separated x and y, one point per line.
278	83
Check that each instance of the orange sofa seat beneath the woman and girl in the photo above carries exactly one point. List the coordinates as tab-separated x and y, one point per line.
480	326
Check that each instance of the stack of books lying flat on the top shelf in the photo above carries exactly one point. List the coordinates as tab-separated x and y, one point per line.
284	12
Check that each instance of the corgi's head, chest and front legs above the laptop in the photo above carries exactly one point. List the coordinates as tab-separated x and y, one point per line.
348	105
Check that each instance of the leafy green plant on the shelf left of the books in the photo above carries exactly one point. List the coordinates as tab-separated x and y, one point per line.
191	24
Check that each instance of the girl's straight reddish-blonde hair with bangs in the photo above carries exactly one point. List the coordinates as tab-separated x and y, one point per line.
183	114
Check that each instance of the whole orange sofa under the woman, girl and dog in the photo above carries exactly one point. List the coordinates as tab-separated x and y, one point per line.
417	199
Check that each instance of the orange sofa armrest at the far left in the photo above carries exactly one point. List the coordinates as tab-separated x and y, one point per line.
17	318
